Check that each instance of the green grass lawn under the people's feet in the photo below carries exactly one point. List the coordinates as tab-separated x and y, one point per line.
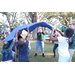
48	49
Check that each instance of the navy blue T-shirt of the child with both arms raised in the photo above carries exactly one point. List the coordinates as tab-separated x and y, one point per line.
23	52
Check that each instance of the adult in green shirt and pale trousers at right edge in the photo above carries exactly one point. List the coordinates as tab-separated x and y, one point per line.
72	47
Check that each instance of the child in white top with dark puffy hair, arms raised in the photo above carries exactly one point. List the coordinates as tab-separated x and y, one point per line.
63	44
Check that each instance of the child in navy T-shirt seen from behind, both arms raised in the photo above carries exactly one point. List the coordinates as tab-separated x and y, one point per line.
23	47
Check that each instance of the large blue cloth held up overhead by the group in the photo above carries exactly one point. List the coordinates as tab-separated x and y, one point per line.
32	26
